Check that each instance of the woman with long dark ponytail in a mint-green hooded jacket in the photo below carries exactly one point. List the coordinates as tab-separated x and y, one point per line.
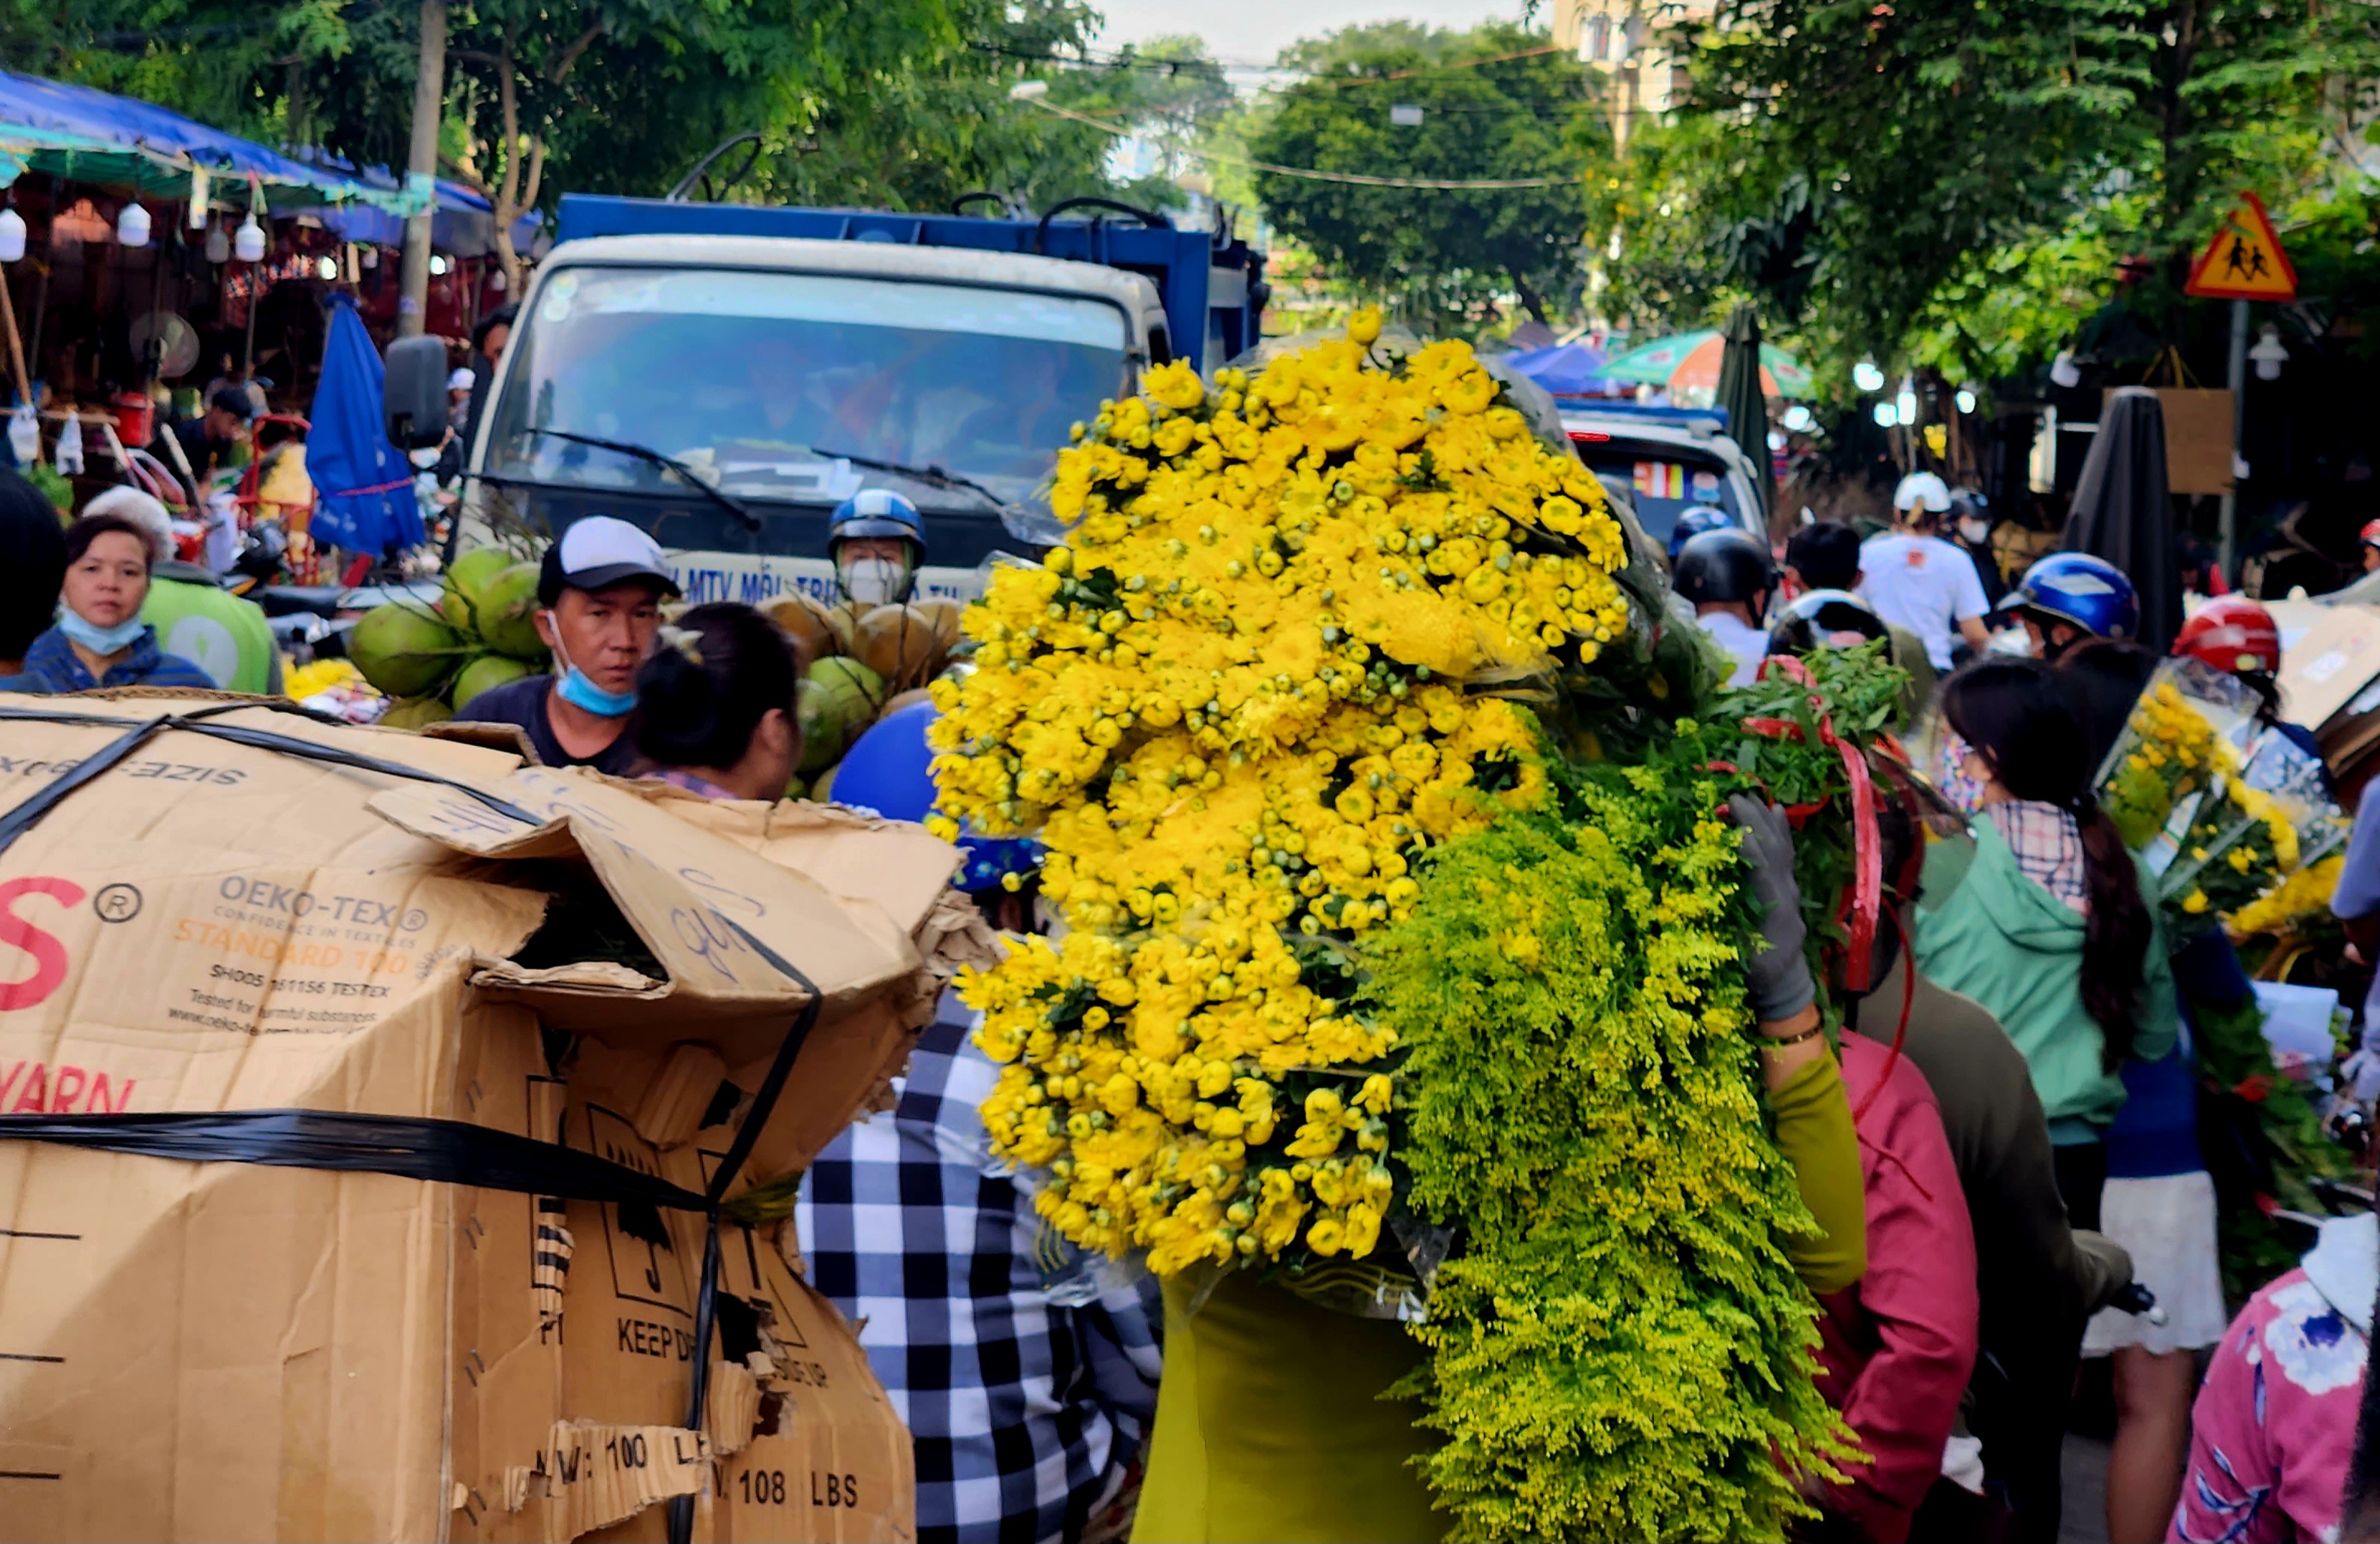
2050	924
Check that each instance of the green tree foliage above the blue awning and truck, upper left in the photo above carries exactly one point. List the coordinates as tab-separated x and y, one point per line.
898	103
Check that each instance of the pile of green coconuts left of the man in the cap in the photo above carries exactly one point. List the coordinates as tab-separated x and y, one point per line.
477	636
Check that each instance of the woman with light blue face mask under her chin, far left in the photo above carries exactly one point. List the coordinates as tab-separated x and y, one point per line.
99	639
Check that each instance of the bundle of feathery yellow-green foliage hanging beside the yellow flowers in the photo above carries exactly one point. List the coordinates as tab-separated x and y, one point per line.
1620	1350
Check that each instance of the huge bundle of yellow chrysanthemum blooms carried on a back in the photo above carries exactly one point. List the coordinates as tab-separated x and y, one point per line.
1234	708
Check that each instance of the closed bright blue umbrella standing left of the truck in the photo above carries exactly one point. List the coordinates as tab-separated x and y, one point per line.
363	484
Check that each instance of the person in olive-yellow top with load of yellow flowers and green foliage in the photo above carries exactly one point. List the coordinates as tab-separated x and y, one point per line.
1415	1012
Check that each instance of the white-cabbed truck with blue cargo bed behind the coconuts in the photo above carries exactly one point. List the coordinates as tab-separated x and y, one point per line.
727	375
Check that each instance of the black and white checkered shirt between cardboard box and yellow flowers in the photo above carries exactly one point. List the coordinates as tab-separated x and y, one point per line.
1025	1372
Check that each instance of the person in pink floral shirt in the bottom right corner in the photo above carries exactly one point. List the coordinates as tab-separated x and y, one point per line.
2276	1419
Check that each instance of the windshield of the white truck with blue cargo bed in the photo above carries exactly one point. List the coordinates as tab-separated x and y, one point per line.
768	382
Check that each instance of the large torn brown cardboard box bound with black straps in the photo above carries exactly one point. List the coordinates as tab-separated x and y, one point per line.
303	1348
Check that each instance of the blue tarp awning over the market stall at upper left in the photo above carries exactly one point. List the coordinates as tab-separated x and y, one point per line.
96	137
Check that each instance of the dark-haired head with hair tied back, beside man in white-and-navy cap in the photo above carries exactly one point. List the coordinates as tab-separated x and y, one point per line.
715	705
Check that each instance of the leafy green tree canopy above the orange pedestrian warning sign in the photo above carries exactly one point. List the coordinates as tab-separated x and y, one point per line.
1955	177
